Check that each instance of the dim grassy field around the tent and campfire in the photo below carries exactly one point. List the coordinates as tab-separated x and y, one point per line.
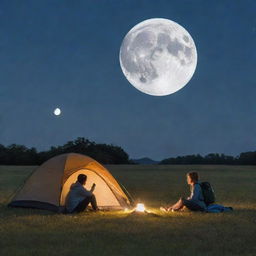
36	232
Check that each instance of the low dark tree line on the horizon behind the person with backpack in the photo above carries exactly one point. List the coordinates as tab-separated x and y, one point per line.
246	158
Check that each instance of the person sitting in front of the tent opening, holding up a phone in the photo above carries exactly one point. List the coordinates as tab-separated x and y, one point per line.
78	197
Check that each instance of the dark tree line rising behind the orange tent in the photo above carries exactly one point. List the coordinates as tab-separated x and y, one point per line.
20	155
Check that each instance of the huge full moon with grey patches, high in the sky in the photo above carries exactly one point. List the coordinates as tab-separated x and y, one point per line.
158	57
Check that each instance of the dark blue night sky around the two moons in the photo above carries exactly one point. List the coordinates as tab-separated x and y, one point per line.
66	54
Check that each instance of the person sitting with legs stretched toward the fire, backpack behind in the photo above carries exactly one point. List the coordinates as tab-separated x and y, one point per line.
195	202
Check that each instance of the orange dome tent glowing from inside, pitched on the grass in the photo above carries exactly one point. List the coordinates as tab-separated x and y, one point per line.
49	185
